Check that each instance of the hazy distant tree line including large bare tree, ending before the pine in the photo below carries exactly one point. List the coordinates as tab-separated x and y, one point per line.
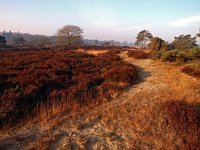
68	35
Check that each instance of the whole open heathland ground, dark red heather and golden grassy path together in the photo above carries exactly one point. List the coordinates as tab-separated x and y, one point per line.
96	100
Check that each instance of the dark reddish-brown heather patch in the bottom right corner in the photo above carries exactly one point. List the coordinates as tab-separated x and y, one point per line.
184	118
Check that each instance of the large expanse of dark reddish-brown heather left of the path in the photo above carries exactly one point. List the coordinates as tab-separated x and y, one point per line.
37	79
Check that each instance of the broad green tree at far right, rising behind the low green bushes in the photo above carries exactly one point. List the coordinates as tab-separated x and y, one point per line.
184	42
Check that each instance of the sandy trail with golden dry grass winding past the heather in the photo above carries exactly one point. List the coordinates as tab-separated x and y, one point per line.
132	121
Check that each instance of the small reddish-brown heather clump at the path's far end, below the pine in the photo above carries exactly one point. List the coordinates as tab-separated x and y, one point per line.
138	54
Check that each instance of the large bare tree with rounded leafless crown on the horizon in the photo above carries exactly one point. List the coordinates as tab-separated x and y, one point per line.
69	35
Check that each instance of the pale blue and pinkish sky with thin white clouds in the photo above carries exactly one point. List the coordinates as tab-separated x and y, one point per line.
119	20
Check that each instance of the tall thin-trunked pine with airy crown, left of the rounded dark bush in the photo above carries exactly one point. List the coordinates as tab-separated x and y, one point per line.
142	37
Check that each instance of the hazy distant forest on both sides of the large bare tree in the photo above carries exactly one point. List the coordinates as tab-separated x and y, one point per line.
37	40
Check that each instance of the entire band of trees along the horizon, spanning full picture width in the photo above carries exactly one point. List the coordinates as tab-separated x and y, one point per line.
72	35
